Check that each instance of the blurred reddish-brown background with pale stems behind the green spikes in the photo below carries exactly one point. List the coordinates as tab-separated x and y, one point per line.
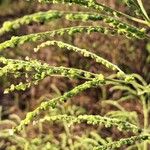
132	56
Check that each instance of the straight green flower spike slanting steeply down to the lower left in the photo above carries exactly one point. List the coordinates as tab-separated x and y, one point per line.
52	103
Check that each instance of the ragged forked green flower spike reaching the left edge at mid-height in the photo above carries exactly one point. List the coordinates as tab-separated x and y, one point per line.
38	71
